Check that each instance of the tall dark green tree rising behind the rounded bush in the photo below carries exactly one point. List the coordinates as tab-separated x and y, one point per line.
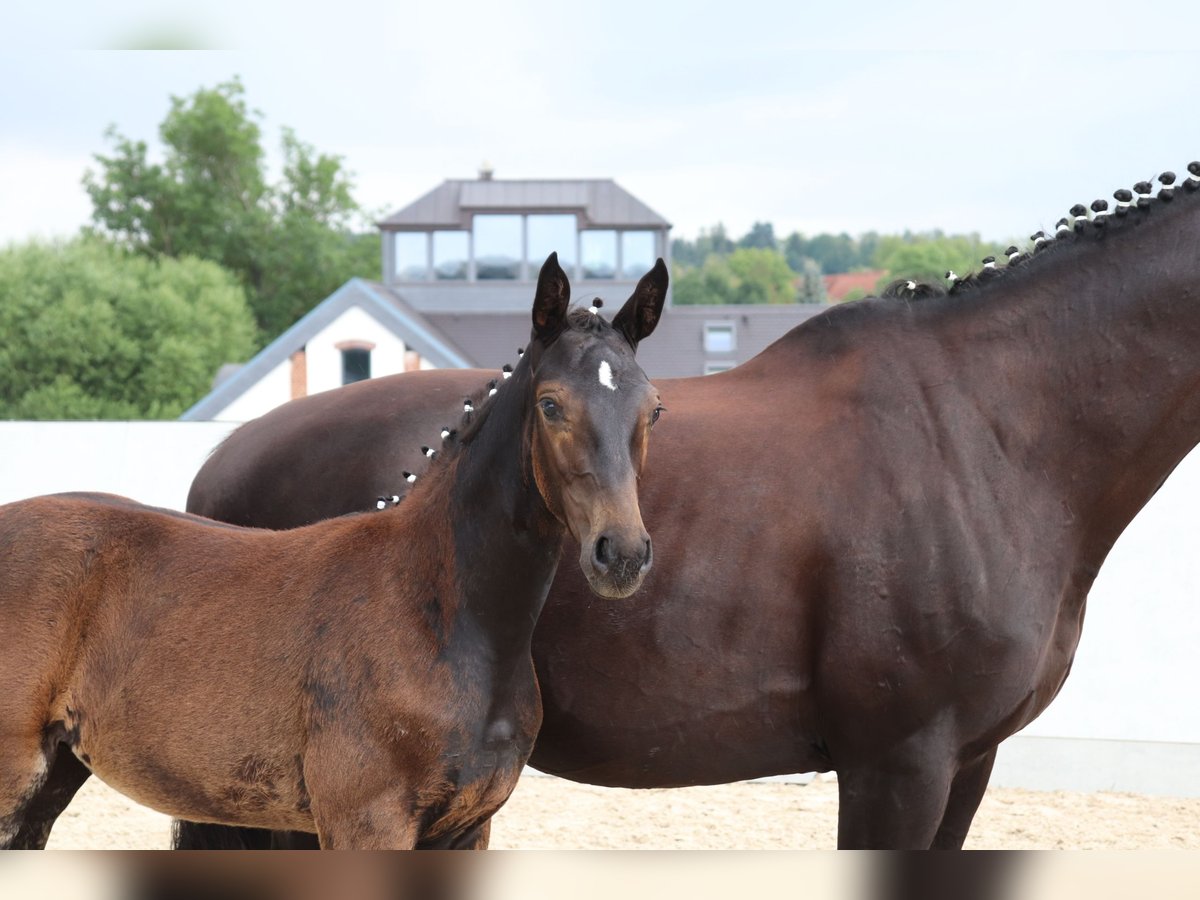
290	244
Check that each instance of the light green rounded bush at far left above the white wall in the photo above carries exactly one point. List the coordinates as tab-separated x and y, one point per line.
92	332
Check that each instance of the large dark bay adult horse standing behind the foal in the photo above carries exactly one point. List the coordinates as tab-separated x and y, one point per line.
877	539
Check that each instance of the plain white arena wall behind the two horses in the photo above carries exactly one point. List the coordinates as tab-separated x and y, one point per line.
1127	719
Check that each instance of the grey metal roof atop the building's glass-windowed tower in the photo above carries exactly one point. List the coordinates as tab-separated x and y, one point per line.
603	203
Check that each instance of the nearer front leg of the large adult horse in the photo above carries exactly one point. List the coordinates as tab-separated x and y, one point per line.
892	805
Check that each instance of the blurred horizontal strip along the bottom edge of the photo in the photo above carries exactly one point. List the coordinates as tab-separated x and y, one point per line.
591	877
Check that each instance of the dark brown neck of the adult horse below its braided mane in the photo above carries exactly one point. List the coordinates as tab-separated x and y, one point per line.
1090	367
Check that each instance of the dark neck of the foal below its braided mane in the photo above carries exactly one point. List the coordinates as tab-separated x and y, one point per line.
505	542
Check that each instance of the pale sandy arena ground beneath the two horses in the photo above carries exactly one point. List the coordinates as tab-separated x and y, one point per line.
548	813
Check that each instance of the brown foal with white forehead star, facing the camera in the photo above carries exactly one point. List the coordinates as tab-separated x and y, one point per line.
367	679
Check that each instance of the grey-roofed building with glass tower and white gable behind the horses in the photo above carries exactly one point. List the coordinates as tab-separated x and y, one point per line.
459	269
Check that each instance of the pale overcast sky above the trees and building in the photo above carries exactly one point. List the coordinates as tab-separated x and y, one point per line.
874	117
